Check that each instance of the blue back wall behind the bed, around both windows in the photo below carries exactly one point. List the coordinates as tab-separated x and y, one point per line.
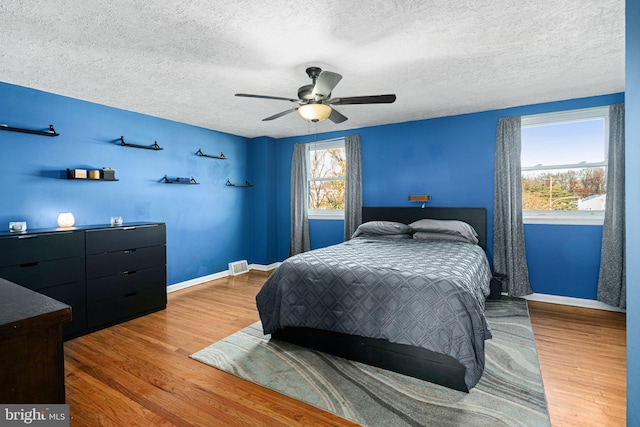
452	159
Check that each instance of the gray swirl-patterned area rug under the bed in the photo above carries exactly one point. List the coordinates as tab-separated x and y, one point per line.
510	392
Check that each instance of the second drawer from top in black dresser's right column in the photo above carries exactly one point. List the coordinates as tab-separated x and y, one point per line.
111	263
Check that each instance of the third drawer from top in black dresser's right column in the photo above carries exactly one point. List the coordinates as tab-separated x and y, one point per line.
125	283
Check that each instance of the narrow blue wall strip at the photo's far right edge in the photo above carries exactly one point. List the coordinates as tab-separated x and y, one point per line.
632	182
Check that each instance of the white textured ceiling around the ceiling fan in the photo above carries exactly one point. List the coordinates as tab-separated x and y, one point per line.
184	60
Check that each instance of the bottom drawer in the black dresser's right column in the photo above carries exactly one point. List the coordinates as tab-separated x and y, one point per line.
126	307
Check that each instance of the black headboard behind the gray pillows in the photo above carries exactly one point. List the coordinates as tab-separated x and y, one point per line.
475	217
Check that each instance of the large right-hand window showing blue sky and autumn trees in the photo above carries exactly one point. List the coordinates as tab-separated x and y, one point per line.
564	166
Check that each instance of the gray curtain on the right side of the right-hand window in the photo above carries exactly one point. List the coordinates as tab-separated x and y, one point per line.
612	286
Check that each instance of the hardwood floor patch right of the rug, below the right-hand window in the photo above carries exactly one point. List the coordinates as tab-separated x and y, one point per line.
582	355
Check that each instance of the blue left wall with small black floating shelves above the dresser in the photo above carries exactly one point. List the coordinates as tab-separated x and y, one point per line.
206	223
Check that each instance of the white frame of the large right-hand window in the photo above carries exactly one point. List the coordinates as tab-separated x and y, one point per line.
560	117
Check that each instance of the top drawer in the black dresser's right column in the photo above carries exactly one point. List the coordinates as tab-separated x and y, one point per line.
123	238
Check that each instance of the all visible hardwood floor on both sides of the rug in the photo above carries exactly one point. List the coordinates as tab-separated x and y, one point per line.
140	373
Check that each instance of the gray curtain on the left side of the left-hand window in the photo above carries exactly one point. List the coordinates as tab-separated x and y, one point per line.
299	239
